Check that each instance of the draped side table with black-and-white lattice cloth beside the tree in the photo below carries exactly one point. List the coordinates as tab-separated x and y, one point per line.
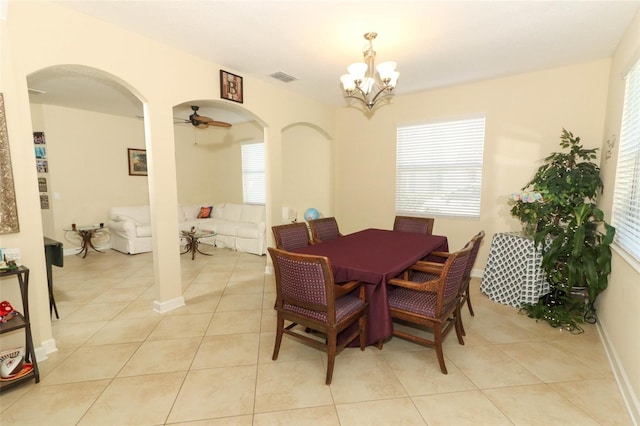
513	275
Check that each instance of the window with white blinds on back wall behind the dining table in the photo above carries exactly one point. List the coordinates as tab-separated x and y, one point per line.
439	168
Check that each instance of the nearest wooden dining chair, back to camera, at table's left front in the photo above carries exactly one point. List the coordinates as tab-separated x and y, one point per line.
305	295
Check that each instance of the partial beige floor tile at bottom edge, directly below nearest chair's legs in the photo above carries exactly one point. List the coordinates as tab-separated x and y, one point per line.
316	416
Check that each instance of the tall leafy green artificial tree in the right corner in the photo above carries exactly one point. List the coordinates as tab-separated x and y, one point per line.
558	208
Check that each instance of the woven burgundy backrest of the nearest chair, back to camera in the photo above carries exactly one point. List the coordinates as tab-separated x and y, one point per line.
304	282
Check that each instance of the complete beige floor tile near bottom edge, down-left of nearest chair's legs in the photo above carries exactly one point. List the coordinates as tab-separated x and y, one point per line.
215	393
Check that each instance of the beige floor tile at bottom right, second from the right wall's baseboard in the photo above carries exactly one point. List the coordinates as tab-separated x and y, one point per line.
537	404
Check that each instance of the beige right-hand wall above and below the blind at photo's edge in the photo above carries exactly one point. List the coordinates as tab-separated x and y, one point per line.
618	305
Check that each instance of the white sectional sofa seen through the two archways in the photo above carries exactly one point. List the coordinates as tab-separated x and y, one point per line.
239	227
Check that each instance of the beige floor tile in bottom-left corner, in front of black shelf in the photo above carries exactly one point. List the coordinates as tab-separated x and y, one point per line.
53	405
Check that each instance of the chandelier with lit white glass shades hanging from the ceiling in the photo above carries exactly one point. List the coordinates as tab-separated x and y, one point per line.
361	83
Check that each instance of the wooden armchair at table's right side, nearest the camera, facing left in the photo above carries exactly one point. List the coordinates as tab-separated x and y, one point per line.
433	303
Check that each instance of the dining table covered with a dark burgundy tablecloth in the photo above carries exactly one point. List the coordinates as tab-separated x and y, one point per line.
374	256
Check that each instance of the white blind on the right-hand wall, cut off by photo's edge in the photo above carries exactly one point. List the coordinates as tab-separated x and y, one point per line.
626	197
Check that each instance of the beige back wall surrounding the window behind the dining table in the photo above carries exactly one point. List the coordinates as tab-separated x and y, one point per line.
525	115
